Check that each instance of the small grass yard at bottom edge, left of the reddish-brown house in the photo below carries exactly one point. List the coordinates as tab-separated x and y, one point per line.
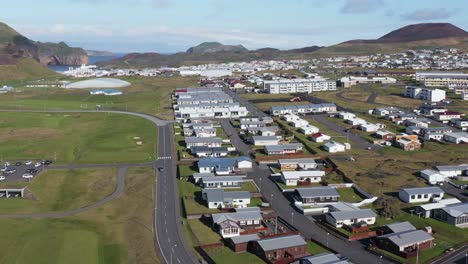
226	256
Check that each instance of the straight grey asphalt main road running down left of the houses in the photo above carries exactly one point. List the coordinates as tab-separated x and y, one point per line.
167	221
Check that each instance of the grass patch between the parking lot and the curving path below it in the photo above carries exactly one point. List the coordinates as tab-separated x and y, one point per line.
61	190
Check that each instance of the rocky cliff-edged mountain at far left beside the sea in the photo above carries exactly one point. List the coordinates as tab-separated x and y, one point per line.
45	53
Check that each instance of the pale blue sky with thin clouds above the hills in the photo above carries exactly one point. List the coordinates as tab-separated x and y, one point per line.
168	26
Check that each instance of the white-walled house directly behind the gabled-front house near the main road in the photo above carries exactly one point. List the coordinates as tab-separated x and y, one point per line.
218	198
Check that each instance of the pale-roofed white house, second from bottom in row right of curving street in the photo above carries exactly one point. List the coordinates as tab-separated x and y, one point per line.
358	217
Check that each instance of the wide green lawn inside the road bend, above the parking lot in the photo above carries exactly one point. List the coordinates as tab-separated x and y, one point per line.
81	138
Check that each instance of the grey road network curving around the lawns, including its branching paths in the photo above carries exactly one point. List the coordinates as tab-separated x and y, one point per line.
169	236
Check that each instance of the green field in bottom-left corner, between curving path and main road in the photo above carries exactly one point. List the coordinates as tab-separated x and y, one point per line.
117	232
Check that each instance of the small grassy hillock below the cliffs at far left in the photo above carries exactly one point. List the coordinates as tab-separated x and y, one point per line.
25	69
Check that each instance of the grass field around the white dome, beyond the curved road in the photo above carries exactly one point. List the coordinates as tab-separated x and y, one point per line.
151	95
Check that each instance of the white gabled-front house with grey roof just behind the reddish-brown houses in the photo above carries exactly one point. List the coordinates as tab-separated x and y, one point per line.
233	224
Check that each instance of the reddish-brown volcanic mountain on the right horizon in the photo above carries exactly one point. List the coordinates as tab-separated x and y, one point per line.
418	36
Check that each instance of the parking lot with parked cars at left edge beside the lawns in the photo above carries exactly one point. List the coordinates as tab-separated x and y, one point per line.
16	169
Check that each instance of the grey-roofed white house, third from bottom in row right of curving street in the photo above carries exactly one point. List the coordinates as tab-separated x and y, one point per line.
316	195
